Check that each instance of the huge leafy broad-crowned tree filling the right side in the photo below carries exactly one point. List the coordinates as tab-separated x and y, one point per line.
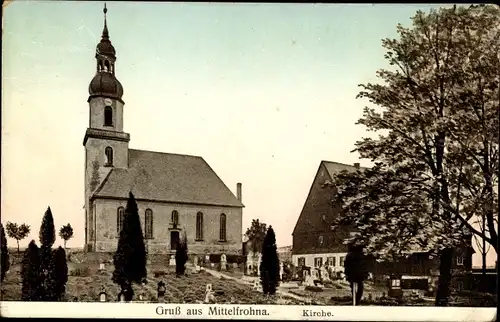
436	157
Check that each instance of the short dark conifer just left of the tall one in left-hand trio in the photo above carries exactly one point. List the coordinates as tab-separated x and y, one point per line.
31	277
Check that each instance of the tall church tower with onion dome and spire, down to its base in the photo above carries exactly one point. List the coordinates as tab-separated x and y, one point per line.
106	145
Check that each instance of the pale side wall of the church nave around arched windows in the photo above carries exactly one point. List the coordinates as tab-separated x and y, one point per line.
107	237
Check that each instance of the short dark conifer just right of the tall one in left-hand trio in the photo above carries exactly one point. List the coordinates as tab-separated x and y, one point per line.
58	277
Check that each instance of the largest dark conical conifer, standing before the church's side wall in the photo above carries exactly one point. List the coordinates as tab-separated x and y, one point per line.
130	256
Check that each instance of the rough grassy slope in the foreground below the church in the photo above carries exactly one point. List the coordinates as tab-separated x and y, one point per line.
85	282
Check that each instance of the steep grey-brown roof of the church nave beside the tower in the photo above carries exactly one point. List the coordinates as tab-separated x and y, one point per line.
167	177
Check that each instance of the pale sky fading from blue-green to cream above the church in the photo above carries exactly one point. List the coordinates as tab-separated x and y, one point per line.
263	92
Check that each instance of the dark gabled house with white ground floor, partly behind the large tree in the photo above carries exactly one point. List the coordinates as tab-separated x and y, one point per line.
315	243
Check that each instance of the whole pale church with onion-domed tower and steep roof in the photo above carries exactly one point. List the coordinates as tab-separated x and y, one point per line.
176	194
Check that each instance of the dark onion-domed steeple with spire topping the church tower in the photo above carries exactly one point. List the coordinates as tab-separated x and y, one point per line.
104	82
